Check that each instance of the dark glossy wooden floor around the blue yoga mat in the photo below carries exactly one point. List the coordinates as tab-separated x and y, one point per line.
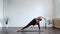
13	30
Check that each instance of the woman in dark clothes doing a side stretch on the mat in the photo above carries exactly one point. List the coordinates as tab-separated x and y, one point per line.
34	22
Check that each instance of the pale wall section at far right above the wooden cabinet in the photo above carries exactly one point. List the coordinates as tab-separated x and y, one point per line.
57	8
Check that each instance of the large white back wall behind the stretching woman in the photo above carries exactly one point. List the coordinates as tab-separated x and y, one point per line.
21	12
